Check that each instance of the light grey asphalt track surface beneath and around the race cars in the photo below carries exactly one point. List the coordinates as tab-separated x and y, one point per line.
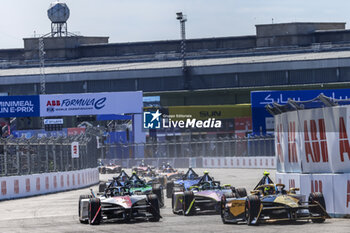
59	213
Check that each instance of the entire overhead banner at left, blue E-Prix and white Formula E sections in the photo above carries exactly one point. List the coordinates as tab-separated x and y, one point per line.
71	104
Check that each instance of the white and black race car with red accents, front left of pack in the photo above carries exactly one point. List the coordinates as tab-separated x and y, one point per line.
118	203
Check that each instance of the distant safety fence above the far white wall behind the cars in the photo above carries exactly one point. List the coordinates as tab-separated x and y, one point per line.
216	147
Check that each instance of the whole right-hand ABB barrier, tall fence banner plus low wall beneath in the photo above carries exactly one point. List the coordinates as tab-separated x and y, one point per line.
313	153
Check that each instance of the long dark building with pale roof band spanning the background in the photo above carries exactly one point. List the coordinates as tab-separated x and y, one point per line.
220	71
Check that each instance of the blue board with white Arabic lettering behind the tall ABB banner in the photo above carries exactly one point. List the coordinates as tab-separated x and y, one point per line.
263	121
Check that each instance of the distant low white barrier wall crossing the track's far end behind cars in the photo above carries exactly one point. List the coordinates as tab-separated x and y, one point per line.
203	162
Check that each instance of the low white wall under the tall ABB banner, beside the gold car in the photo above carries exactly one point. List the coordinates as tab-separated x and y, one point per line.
335	188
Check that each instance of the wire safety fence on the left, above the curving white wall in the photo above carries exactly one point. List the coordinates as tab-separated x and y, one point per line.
22	156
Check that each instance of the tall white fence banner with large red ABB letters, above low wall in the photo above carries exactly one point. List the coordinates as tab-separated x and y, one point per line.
313	140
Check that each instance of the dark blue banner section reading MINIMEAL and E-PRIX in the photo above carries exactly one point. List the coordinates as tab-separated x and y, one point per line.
19	106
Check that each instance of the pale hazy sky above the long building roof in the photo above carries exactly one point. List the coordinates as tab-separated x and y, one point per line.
151	20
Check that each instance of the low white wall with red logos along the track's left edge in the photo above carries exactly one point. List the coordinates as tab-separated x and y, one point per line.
36	184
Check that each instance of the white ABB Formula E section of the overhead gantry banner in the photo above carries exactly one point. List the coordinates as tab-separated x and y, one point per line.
90	103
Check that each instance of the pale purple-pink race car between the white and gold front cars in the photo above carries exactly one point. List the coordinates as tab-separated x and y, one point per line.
204	197
